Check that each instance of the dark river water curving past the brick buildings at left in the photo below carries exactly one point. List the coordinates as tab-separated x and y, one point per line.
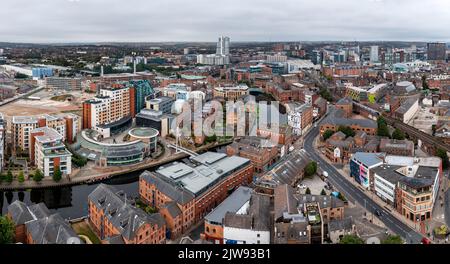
71	201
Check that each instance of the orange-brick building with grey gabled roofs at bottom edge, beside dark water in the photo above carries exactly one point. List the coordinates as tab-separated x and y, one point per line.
116	220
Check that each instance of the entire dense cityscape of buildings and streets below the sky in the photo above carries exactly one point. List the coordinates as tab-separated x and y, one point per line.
225	143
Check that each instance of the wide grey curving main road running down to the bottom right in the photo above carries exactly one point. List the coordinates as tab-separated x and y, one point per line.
354	194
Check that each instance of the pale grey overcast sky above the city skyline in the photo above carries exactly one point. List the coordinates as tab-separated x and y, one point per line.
204	20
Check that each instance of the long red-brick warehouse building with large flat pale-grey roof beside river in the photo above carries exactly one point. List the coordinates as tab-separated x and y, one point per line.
196	188
